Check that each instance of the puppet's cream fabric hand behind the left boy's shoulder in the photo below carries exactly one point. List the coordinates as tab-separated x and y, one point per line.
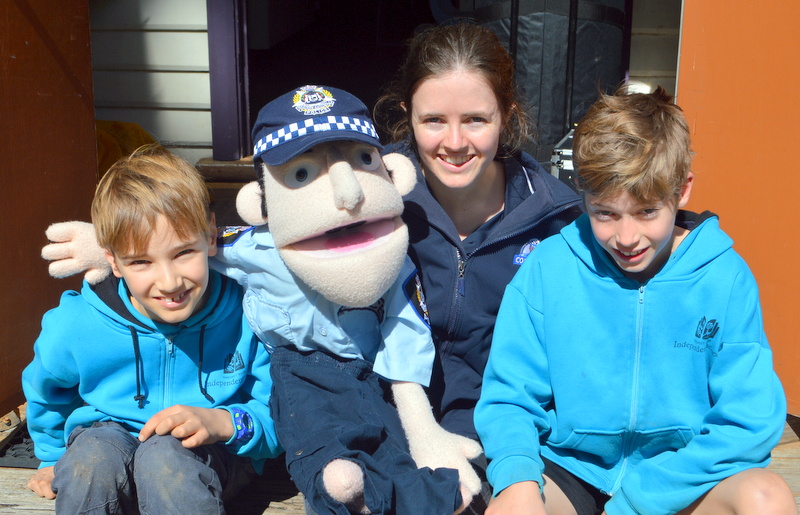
73	249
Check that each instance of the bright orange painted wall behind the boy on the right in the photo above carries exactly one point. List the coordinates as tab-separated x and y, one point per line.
739	85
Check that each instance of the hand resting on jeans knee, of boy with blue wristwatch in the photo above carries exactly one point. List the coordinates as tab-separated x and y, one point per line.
193	426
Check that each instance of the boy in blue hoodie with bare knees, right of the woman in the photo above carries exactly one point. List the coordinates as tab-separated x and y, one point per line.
630	372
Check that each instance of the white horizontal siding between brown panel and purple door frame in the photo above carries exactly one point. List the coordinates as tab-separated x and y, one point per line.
150	66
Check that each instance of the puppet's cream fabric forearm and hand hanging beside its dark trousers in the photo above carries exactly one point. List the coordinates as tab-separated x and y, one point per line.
431	446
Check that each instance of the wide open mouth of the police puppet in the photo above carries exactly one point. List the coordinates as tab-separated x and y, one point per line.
350	238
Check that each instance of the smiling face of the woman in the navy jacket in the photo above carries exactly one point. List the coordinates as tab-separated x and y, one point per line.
457	122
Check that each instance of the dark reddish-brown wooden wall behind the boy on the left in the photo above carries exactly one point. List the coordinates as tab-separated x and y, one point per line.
48	162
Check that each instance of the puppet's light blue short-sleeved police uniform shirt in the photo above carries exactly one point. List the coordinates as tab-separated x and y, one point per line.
391	334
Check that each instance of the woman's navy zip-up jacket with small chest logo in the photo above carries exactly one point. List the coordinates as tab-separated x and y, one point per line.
463	288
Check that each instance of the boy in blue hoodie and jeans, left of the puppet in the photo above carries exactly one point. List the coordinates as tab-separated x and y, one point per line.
148	390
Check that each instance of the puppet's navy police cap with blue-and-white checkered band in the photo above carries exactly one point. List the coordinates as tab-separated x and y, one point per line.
307	116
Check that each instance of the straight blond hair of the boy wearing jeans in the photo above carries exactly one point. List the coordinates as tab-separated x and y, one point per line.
138	188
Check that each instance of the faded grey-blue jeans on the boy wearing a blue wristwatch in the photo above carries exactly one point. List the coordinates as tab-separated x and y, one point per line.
107	470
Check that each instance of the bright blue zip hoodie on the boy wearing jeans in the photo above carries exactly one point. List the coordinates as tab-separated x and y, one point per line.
97	358
